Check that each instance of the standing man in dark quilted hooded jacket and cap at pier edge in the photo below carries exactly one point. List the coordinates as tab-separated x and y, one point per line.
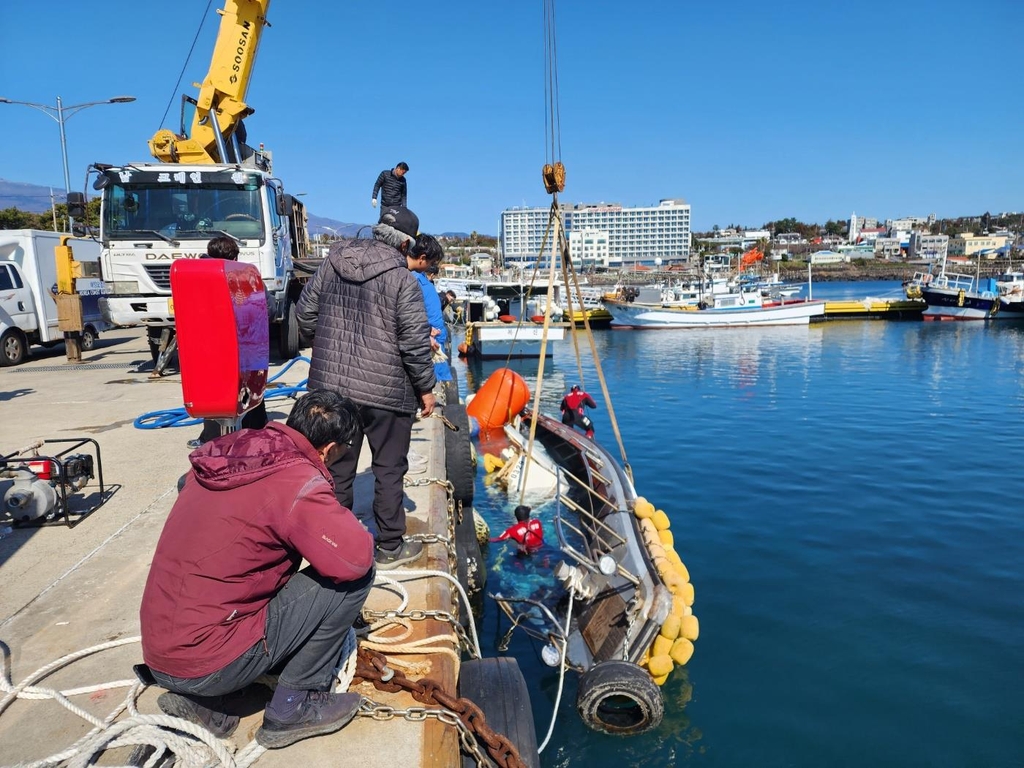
371	343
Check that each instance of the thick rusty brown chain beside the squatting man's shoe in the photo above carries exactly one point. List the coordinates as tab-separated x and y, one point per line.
372	667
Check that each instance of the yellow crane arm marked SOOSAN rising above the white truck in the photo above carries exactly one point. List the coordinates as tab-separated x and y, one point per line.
222	105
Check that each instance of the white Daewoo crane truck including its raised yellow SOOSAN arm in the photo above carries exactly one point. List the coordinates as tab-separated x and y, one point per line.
207	183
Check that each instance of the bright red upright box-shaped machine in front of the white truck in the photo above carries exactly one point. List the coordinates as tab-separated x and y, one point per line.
224	336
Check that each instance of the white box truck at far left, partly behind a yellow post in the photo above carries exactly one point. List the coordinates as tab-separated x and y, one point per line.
28	284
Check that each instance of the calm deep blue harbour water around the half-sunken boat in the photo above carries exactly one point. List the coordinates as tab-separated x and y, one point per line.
847	498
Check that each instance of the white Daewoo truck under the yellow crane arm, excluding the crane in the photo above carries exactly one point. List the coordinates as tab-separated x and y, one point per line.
155	214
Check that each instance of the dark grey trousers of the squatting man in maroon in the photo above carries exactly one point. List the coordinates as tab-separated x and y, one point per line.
307	626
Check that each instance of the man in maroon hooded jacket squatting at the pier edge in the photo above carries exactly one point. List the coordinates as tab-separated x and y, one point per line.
226	602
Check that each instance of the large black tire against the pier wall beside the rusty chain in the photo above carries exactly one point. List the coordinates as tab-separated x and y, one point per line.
497	687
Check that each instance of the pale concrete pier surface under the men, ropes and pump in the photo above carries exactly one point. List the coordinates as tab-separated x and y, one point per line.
69	589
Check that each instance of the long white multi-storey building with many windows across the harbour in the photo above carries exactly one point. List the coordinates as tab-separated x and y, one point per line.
635	236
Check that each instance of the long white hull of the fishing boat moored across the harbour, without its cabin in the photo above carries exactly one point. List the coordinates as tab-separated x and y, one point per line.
636	316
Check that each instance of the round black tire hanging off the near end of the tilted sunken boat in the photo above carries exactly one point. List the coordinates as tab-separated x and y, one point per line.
620	698
